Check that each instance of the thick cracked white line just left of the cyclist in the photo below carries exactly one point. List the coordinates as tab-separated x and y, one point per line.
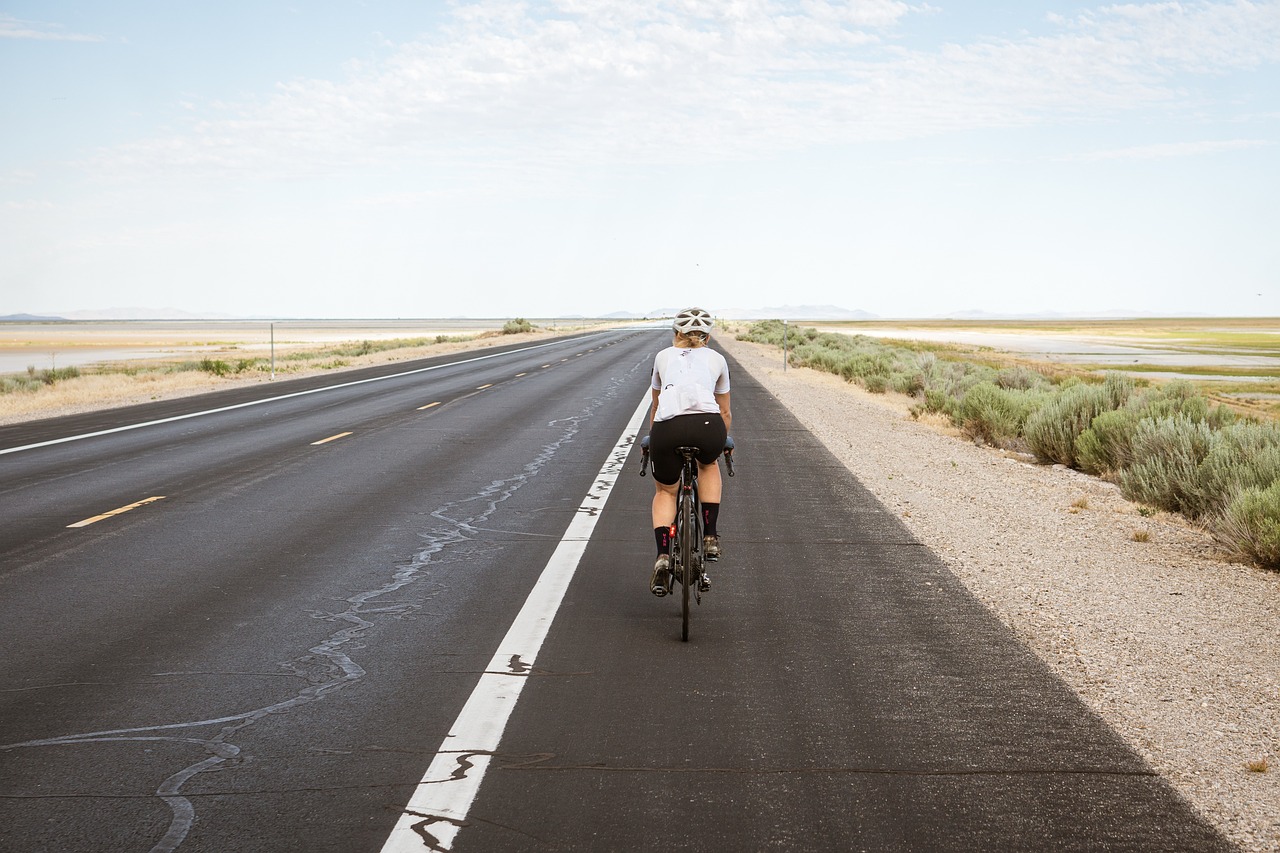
444	799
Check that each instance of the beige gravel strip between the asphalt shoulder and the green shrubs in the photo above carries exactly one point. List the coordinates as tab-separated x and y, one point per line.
1168	641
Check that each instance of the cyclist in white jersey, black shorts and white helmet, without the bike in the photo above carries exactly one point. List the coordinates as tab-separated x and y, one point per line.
691	409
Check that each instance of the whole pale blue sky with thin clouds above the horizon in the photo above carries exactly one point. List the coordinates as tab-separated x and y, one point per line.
399	159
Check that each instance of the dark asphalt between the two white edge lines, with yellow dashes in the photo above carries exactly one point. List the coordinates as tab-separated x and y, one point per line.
304	618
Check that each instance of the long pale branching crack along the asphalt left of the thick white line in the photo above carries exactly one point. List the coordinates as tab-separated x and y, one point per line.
327	667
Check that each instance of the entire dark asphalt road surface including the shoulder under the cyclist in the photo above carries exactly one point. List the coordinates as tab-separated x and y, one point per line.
271	647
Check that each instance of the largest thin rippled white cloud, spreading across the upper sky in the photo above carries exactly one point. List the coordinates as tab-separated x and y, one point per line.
618	81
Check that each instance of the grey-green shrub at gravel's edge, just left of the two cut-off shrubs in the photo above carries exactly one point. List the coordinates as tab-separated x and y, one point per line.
1167	458
